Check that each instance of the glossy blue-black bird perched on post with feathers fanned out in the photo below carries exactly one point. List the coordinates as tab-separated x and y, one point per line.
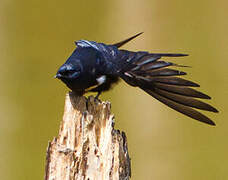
96	67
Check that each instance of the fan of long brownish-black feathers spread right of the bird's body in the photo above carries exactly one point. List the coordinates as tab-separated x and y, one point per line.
156	78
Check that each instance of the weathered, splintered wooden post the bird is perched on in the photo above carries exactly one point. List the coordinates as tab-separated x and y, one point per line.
87	147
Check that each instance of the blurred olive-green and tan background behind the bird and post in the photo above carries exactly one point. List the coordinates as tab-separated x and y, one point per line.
37	36
